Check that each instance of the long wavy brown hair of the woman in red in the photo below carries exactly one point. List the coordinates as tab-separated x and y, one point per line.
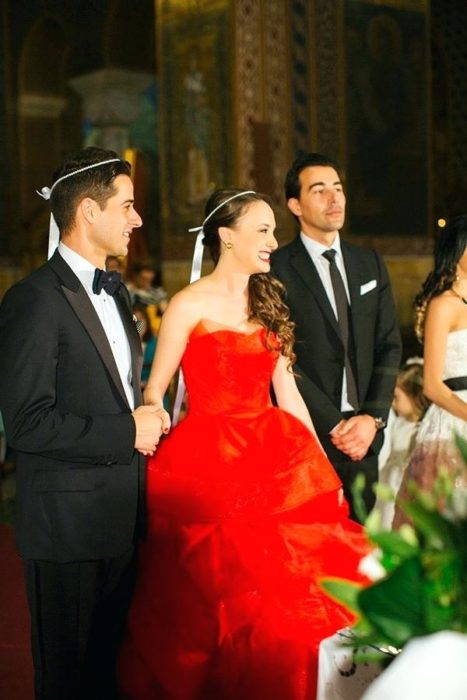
266	295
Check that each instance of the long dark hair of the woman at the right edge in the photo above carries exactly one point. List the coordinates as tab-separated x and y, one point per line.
449	248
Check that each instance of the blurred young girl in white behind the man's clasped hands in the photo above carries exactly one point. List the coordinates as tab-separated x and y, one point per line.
408	408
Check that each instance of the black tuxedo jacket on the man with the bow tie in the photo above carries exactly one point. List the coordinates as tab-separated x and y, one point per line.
67	417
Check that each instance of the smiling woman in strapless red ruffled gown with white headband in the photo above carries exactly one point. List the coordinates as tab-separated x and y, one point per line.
245	512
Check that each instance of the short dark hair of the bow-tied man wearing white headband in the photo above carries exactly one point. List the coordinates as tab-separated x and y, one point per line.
96	183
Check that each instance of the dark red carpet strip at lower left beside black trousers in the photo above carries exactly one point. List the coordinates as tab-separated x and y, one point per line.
16	675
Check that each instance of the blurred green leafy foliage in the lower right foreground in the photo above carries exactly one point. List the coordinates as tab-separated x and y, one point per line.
424	584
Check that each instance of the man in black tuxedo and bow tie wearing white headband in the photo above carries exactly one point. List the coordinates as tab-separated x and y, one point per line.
70	362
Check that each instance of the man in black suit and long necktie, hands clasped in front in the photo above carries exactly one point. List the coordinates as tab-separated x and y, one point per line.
347	339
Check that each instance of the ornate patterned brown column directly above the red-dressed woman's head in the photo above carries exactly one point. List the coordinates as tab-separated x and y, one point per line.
263	138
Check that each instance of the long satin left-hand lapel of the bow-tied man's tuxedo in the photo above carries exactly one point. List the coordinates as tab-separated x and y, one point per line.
83	308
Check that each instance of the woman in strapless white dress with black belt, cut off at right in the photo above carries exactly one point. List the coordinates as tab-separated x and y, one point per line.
441	324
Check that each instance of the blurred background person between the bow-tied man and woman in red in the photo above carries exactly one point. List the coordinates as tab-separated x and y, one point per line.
143	290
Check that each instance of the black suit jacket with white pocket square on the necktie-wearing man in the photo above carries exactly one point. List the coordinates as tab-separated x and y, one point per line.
319	347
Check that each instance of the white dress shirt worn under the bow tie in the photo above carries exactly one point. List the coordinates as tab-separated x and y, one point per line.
109	316
